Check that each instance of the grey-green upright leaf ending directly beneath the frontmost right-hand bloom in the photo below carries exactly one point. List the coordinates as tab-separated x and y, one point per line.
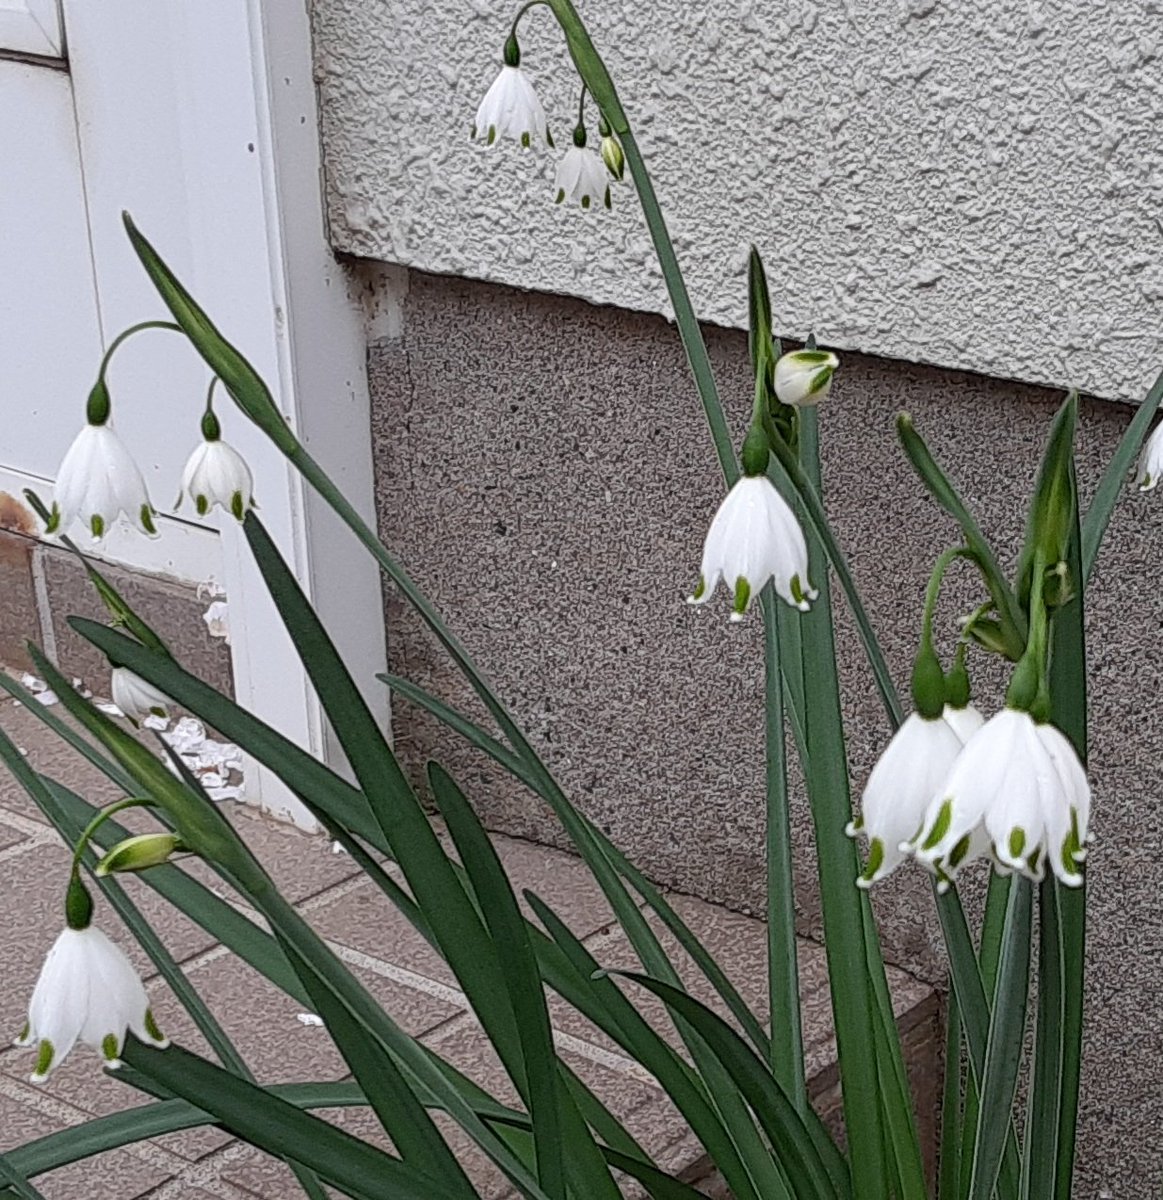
999	1082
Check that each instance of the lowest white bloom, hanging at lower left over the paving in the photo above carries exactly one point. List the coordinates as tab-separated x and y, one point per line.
88	992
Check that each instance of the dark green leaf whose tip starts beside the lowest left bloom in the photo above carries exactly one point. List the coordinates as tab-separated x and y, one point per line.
265	1120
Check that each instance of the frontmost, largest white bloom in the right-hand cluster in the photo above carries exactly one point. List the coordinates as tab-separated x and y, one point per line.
1022	782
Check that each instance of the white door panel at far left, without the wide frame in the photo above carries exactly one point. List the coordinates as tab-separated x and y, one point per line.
52	333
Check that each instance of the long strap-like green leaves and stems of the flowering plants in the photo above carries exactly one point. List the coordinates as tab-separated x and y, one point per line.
740	1088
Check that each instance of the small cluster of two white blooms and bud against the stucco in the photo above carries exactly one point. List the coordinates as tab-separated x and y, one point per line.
512	110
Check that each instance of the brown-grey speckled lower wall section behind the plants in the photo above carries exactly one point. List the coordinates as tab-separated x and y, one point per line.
555	511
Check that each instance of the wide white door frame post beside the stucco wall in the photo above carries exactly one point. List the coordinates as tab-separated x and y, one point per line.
200	118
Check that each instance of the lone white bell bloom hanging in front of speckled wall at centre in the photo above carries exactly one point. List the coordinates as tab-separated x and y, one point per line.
756	538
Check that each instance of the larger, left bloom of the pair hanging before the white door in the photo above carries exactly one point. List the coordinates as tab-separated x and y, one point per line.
98	482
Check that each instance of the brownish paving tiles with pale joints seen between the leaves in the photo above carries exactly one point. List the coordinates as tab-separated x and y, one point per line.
397	964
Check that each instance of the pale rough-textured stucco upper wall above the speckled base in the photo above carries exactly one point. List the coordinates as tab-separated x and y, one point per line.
973	185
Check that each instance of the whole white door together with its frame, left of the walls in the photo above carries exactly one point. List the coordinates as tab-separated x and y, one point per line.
200	118
